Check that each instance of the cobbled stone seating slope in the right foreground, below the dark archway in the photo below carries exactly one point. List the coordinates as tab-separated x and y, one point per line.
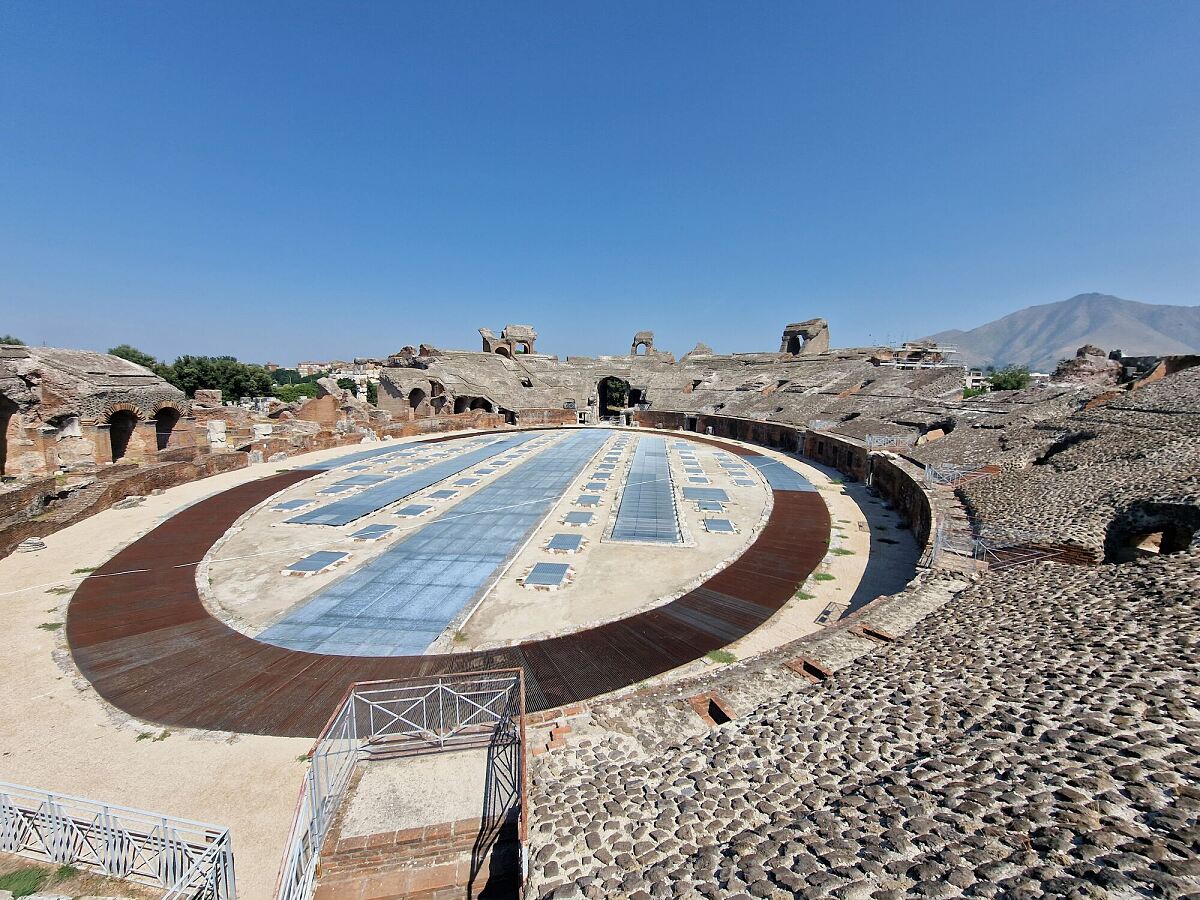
1039	737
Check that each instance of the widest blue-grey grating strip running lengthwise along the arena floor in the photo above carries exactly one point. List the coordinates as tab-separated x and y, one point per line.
404	599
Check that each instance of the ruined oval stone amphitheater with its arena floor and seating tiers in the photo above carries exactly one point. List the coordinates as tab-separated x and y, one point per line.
797	623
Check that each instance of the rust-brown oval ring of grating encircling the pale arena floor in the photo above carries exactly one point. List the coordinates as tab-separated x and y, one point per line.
149	646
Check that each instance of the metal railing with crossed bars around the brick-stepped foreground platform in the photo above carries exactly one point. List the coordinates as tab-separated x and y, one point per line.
395	717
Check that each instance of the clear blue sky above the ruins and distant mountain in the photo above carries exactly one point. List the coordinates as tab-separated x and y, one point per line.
295	181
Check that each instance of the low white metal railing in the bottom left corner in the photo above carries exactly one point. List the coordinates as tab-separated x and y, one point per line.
190	860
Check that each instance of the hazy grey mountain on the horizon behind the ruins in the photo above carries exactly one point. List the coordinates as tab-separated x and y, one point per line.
1040	337
